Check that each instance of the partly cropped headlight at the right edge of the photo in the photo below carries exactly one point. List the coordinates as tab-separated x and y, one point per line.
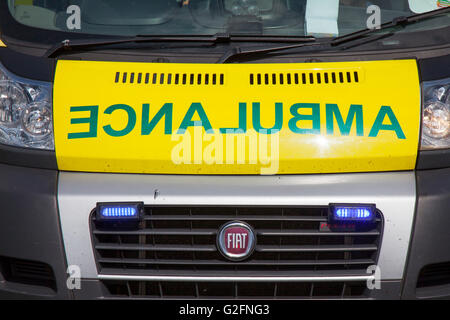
436	115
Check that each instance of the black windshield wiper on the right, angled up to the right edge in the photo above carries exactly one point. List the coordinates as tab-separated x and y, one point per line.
237	52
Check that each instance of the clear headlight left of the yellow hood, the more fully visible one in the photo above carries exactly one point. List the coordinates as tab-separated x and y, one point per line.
25	112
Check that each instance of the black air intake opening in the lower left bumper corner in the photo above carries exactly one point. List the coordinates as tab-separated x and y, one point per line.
27	272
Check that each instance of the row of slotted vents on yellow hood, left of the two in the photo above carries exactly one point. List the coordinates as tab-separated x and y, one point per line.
170	78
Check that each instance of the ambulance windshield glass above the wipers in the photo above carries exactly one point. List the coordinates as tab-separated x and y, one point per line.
319	18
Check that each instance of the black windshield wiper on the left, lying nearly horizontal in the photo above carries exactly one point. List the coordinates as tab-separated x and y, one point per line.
82	45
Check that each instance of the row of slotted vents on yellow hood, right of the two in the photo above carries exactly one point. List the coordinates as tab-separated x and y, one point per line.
305	78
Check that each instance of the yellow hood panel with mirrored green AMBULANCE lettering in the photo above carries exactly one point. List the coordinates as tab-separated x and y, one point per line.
382	99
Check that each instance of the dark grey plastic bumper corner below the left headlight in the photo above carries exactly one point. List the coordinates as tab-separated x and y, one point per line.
30	227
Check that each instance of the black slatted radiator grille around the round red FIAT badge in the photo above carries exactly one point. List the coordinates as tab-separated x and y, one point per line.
182	241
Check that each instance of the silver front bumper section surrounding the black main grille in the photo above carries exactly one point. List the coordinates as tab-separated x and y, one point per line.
393	193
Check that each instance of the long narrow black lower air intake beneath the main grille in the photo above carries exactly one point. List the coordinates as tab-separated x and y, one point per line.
240	290
